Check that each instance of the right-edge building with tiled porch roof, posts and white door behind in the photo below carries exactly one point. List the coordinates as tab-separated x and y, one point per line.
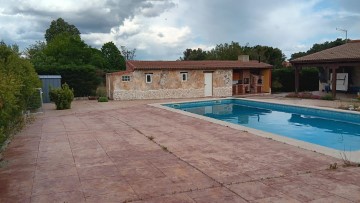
339	67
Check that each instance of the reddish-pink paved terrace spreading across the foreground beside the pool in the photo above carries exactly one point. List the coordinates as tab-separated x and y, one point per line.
129	151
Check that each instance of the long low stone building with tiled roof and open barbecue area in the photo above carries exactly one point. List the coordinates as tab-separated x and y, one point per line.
189	79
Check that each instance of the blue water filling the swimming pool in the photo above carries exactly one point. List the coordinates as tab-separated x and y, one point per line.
331	129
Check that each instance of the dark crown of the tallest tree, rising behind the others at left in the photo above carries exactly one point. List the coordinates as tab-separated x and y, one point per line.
60	26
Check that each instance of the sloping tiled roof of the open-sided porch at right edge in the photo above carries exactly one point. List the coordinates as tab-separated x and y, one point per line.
347	52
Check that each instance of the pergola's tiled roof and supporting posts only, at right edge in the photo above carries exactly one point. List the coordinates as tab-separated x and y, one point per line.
344	55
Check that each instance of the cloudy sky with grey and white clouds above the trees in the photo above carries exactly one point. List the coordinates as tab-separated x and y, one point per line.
163	29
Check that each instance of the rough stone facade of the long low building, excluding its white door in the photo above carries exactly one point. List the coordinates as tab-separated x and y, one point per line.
167	84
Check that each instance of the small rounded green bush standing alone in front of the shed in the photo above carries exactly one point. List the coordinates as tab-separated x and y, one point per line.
62	97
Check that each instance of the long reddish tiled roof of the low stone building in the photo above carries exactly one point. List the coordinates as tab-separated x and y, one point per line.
190	65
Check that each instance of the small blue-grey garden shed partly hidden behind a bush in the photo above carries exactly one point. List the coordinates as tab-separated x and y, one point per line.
53	81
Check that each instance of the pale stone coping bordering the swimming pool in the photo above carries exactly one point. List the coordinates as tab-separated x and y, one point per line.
353	156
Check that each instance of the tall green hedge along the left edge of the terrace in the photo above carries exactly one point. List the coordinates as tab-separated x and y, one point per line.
18	83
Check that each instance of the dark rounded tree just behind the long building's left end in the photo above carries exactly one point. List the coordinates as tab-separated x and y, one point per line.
113	57
